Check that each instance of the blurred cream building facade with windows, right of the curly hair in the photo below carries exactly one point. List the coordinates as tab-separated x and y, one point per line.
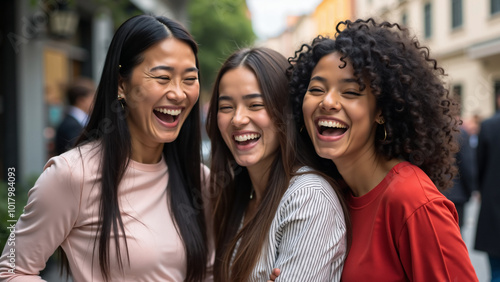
464	37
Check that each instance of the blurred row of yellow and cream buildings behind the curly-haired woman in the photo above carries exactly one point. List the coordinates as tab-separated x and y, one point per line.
464	37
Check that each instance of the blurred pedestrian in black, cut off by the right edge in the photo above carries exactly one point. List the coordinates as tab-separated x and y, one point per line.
488	164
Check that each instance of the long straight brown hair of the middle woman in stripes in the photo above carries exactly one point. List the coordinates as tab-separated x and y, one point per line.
230	182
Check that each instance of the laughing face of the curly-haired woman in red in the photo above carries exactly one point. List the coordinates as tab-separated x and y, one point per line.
340	119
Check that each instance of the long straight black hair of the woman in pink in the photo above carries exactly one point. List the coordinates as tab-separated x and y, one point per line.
108	125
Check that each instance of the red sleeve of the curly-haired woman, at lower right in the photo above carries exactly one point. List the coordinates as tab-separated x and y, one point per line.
431	247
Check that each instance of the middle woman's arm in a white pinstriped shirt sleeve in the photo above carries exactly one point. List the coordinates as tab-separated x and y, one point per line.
312	229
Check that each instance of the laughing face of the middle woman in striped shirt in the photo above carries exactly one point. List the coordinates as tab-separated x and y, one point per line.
243	120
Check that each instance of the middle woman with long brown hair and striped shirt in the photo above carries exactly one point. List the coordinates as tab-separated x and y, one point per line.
271	209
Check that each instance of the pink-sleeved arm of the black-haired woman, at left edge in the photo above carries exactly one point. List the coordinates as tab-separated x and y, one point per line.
48	217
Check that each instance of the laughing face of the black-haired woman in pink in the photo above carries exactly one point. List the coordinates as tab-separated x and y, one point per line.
160	93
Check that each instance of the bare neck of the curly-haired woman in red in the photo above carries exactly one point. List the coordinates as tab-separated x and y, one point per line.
364	173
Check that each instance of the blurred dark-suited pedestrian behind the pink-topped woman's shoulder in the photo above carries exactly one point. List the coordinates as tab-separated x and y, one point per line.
80	95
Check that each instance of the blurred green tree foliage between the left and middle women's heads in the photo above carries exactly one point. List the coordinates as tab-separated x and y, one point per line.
220	27
